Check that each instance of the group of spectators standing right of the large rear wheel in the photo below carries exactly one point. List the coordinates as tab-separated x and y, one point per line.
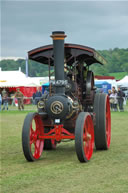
116	99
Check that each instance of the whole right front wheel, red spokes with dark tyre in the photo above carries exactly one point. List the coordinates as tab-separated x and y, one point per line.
84	137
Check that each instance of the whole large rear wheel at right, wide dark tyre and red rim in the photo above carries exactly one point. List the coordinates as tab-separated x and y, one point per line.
102	129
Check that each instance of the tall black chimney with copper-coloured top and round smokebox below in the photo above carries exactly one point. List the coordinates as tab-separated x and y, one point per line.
58	106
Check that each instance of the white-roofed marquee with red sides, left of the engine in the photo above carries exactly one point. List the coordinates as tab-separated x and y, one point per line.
11	80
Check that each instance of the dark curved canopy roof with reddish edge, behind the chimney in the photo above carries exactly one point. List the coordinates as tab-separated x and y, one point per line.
73	52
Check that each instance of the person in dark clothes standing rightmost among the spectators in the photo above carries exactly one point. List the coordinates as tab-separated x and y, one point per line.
120	95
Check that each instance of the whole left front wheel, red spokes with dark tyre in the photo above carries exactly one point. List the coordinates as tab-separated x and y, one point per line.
31	144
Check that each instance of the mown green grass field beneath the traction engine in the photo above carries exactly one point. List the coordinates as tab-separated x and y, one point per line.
60	171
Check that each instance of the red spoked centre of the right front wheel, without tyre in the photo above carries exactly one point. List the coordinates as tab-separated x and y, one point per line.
88	137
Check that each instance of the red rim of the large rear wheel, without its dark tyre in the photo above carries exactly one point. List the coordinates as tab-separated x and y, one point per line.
108	123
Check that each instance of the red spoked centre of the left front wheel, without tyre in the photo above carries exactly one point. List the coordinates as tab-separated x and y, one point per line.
36	144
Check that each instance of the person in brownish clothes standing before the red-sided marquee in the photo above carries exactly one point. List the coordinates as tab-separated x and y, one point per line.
19	95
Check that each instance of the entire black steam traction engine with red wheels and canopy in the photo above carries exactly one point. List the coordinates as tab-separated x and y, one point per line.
71	109
